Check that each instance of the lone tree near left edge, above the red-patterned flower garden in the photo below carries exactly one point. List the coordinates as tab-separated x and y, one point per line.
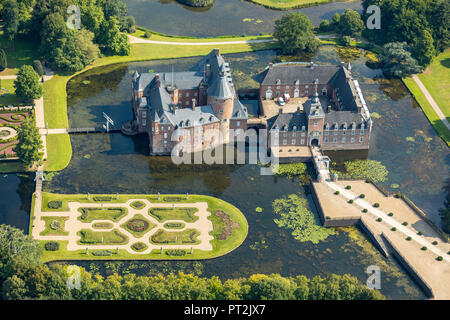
27	83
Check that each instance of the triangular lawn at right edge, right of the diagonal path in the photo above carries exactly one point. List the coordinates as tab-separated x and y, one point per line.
436	79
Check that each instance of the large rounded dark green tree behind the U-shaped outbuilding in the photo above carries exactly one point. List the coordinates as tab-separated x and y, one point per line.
295	33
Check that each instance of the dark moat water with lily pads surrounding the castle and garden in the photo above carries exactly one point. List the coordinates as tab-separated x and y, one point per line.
403	140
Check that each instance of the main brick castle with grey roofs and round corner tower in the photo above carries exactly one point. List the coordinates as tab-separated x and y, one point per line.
192	109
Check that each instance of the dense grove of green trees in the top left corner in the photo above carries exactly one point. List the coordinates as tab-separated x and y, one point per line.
67	49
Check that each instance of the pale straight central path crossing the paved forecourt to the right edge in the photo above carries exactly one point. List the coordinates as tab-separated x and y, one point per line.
390	221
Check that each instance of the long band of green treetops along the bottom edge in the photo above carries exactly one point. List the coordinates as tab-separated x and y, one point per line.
23	276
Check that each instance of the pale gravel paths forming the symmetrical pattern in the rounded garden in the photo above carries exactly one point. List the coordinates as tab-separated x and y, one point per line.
73	225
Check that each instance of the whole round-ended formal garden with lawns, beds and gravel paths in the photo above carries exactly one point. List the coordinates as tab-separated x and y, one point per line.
86	227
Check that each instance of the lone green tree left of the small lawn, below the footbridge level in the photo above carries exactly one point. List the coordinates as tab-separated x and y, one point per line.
29	145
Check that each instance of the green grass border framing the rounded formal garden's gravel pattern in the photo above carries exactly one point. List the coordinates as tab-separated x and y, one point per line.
220	247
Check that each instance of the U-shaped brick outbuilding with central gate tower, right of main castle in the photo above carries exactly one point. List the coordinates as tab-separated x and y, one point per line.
334	116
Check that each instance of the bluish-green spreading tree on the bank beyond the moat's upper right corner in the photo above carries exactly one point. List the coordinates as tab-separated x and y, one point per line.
397	60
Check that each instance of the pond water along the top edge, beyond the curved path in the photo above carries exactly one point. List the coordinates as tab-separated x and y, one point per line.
225	17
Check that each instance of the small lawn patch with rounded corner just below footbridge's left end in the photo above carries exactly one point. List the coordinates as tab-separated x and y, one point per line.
59	152
